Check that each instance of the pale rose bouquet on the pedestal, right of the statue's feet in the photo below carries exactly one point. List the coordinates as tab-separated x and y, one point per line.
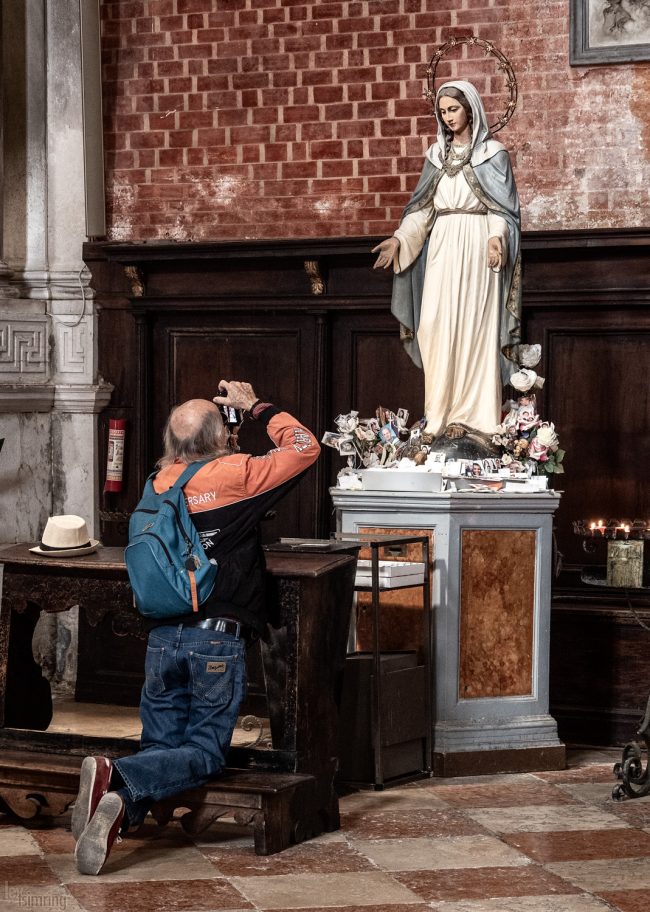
528	443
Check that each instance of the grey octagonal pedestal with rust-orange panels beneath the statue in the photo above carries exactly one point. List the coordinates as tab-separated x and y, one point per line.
491	601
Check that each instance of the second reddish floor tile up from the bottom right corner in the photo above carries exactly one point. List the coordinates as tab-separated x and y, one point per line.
583	845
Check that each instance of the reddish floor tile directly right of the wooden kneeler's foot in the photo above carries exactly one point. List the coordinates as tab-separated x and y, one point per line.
408	824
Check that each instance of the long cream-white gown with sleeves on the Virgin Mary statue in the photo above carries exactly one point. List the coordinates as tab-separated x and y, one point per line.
458	333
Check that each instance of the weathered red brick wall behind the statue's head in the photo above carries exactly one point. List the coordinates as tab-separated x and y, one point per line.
295	118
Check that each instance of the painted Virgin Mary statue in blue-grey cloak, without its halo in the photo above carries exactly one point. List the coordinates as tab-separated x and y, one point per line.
455	254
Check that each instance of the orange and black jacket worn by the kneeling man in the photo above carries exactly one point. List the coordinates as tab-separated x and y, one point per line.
227	498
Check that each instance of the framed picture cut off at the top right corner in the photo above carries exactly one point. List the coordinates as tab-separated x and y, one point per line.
609	31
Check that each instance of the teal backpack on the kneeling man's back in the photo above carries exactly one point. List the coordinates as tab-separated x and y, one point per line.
168	569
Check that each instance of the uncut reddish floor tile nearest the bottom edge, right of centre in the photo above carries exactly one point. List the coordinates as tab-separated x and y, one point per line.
473	883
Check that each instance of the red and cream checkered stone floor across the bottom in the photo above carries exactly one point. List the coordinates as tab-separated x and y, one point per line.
538	842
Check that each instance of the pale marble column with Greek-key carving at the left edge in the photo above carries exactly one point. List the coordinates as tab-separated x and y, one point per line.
50	392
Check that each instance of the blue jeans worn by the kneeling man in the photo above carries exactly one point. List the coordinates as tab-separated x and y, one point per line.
195	680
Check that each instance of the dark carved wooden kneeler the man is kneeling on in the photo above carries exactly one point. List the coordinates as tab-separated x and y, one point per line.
283	786
